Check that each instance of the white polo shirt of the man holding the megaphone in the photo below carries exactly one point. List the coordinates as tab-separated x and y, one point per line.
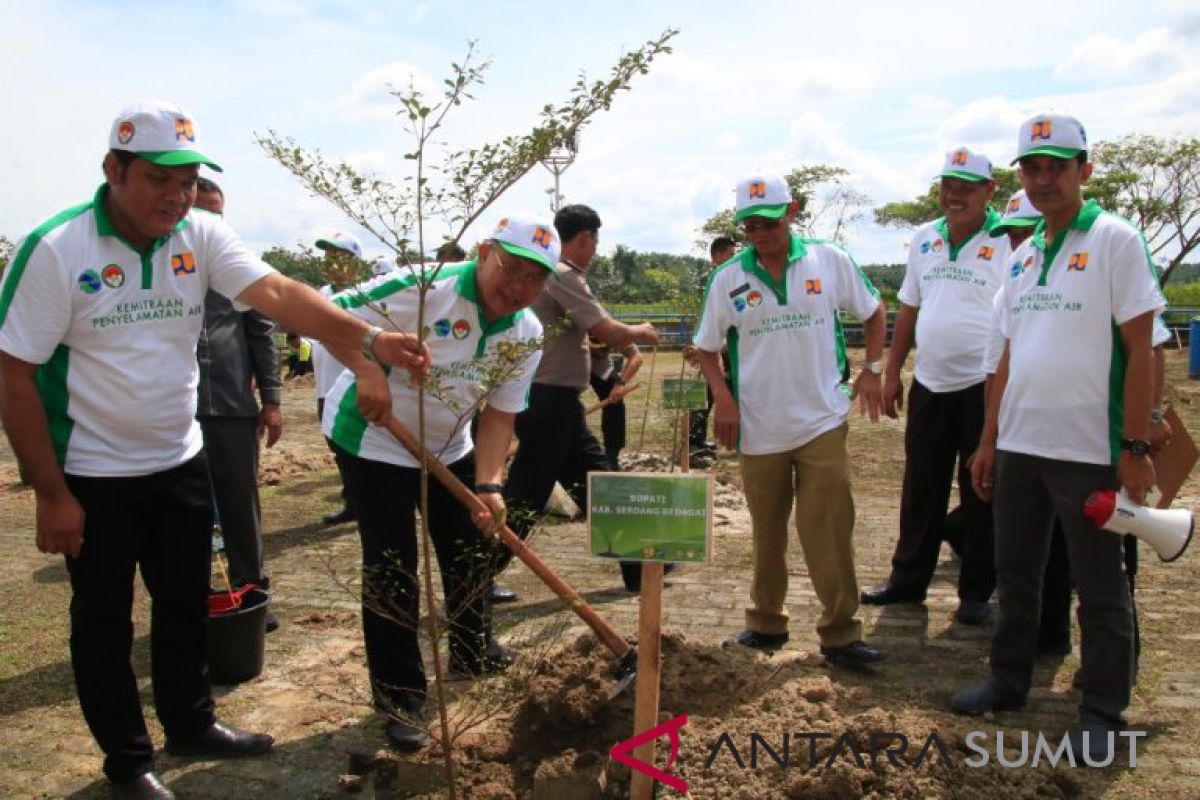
1064	302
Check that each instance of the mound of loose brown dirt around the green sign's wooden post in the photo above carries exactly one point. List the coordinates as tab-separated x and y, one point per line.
758	727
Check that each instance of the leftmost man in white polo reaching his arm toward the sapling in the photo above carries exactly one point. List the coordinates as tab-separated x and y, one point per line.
100	315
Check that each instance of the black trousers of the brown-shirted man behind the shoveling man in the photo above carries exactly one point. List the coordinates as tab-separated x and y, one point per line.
556	447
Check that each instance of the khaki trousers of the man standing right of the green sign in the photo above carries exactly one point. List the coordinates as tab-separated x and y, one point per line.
818	477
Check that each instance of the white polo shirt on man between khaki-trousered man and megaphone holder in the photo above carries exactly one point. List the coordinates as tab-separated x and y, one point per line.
953	287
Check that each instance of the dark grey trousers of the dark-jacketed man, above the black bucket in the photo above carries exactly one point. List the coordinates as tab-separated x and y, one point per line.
232	448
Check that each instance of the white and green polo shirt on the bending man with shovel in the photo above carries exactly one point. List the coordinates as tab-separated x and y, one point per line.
465	348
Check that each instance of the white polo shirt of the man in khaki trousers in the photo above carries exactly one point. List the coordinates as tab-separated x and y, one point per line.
785	342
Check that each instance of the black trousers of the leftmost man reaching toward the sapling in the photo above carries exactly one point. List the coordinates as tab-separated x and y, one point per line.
161	524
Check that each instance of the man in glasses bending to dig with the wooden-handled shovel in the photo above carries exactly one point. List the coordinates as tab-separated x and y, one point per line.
485	345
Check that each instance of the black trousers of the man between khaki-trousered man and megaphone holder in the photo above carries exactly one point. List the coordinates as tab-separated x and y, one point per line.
943	428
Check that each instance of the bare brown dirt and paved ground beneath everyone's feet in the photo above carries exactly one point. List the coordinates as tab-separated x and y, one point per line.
551	715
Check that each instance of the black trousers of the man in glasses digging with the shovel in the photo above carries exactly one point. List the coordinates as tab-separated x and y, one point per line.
387	498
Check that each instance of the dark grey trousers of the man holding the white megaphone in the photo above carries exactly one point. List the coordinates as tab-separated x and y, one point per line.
1030	491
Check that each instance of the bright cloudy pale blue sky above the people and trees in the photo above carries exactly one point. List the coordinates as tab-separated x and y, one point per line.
880	89
